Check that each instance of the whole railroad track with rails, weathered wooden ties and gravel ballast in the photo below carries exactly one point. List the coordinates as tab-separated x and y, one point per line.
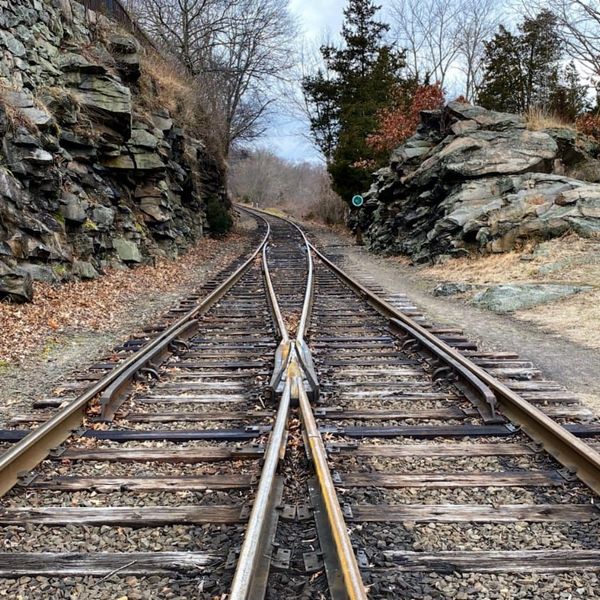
293	435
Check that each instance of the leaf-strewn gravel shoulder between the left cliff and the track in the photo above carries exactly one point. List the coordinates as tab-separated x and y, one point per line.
69	328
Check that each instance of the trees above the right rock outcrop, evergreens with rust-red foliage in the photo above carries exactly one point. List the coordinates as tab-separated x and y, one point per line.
365	98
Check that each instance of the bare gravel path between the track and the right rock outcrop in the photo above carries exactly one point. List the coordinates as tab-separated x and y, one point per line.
571	363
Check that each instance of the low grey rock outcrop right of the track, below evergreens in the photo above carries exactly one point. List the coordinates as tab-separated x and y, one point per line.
472	180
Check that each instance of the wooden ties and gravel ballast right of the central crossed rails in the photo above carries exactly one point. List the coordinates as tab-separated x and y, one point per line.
440	503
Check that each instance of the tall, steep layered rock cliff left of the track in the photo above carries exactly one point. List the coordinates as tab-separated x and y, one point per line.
90	175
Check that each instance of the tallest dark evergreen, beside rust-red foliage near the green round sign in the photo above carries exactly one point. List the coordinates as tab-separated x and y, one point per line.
346	98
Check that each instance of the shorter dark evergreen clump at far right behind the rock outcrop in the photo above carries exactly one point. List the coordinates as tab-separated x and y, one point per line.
523	71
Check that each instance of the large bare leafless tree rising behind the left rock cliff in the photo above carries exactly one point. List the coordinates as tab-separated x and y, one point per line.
238	50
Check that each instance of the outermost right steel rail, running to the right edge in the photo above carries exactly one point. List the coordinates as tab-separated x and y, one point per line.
574	454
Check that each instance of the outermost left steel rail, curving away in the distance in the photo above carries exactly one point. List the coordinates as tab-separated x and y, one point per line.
34	447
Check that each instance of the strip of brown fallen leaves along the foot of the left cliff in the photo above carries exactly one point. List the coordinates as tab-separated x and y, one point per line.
96	305
